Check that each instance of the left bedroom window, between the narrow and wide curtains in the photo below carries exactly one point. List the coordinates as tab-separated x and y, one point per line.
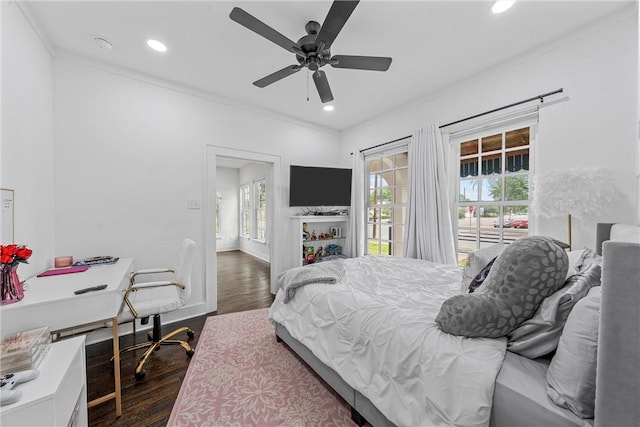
387	204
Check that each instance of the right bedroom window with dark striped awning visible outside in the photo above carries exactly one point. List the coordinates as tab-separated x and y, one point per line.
493	191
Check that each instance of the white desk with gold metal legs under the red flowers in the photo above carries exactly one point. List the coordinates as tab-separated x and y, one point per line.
50	301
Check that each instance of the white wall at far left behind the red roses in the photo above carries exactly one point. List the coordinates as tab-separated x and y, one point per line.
27	137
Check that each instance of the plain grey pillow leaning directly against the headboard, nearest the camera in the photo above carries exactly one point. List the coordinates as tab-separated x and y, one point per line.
571	377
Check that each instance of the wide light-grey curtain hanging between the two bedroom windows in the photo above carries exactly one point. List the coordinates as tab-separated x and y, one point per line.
428	227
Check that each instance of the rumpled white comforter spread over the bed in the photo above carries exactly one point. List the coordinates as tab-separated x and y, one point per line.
376	329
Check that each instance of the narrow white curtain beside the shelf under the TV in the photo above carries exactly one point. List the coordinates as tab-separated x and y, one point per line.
357	220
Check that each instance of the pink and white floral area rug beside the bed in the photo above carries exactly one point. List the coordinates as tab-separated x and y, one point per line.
240	376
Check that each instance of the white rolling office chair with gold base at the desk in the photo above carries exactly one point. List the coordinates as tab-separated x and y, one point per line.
145	299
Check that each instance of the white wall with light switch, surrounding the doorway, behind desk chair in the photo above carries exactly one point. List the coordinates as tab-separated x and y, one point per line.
130	154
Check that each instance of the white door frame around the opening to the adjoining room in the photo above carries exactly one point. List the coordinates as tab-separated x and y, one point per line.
222	156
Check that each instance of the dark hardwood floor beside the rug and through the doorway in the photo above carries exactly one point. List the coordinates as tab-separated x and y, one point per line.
243	284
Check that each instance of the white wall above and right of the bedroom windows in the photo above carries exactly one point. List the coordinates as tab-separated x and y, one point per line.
595	123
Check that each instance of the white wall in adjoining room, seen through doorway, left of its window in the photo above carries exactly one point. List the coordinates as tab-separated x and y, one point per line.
228	189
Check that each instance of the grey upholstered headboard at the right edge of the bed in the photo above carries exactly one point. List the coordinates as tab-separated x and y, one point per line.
618	370
